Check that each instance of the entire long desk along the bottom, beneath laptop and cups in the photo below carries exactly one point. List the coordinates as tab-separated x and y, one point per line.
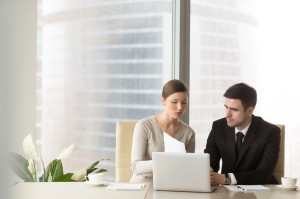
77	190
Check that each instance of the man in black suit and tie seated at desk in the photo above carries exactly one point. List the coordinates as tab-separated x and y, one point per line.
248	145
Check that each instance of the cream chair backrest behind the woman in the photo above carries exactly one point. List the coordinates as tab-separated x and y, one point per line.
124	133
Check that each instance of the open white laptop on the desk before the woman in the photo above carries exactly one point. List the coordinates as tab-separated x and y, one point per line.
181	172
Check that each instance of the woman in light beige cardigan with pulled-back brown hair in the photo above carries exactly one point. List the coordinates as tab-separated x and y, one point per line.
148	132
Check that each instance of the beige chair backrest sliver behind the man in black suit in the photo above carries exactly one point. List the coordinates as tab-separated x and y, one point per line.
279	170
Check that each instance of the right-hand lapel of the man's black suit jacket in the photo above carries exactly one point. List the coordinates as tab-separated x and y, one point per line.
249	138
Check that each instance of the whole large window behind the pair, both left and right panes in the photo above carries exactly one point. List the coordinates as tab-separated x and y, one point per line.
103	61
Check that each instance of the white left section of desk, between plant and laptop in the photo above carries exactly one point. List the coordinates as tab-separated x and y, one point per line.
70	190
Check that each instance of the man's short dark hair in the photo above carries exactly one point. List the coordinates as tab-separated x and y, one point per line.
243	92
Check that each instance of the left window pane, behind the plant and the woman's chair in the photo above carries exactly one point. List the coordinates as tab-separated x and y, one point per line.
101	62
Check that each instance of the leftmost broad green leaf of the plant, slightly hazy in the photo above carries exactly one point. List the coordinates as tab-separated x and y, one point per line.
19	166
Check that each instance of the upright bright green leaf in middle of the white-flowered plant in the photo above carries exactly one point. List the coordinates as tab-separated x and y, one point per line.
55	168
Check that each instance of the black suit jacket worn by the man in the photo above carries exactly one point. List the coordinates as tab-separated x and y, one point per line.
258	156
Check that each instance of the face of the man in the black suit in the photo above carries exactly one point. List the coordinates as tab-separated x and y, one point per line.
236	116
